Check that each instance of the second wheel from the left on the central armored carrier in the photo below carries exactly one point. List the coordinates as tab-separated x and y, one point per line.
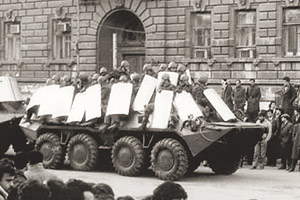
83	152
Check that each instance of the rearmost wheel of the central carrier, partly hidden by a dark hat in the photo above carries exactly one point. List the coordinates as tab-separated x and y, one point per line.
54	153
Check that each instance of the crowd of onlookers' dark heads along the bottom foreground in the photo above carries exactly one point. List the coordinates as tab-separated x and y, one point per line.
24	178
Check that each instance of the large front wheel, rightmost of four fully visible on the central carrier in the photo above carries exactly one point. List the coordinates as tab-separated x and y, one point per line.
169	160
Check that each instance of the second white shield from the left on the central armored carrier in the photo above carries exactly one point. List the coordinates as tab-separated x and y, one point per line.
48	100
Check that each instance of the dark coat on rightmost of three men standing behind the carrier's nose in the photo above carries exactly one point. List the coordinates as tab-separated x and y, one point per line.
253	96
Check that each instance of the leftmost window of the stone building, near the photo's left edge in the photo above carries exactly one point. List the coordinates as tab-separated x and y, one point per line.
12	41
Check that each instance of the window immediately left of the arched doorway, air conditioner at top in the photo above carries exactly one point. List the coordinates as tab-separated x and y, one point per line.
61	39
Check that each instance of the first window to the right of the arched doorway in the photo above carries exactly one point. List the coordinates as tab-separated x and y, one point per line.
201	35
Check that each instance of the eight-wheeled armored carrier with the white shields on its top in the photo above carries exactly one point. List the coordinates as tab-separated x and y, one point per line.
75	125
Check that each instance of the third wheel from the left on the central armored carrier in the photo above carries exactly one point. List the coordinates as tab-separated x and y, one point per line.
128	156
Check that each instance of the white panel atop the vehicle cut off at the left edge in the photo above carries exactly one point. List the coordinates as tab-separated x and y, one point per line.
9	89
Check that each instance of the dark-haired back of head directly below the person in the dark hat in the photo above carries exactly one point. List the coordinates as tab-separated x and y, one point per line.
33	190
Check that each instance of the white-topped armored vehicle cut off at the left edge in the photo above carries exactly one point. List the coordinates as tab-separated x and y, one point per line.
11	112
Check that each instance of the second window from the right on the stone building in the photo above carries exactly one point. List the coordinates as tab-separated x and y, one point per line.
246	34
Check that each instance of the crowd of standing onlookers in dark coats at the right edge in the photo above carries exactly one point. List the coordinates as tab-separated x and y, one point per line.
281	138
